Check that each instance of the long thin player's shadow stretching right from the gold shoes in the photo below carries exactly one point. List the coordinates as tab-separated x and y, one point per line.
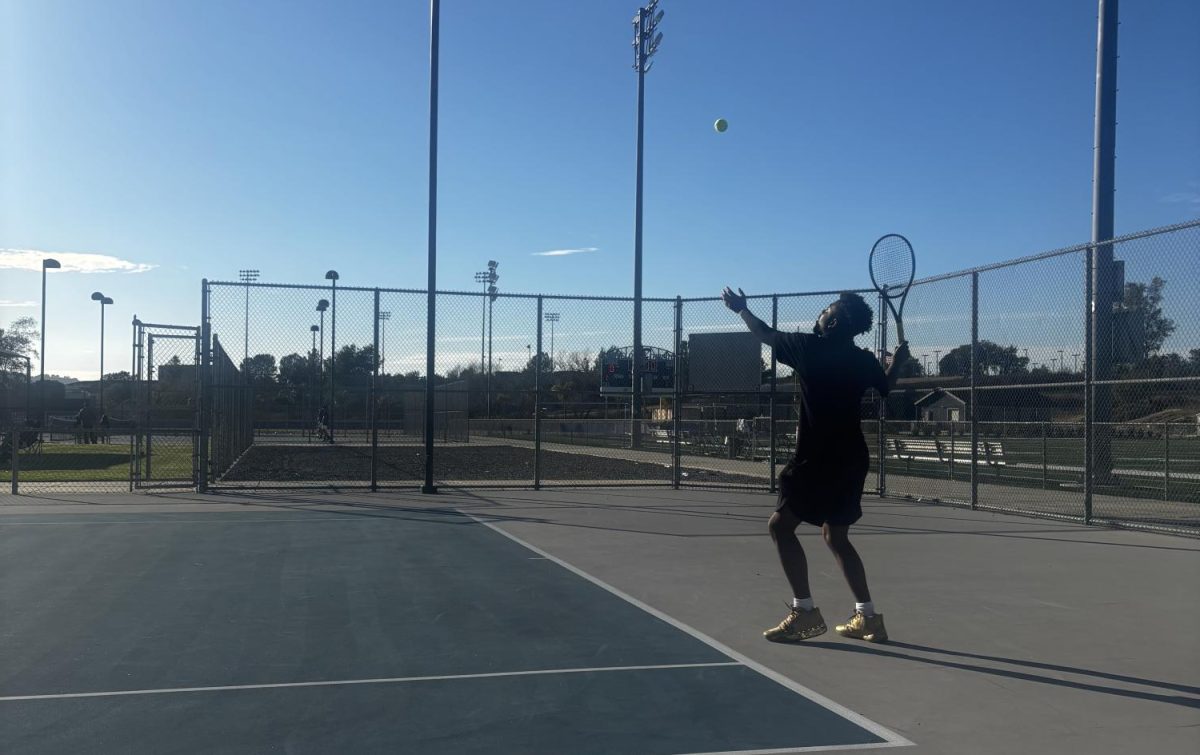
889	651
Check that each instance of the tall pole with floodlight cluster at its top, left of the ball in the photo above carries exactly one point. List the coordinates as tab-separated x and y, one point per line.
646	45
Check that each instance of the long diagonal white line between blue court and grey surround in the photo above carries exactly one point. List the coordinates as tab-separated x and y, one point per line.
891	738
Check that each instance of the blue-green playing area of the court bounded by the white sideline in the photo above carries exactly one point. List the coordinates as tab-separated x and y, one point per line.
368	628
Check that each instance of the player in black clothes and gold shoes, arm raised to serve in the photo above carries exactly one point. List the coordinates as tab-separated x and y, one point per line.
824	483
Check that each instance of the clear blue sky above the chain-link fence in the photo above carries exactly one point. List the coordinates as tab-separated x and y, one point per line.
190	140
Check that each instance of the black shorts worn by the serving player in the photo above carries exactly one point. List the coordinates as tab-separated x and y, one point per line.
823	494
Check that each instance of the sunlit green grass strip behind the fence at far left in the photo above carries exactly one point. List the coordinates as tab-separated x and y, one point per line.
103	463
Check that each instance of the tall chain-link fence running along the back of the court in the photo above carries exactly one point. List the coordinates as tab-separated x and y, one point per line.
1022	396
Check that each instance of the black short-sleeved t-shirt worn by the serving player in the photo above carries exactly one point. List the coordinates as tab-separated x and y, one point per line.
833	376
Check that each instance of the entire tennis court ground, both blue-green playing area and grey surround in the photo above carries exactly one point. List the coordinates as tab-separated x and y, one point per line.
623	621
